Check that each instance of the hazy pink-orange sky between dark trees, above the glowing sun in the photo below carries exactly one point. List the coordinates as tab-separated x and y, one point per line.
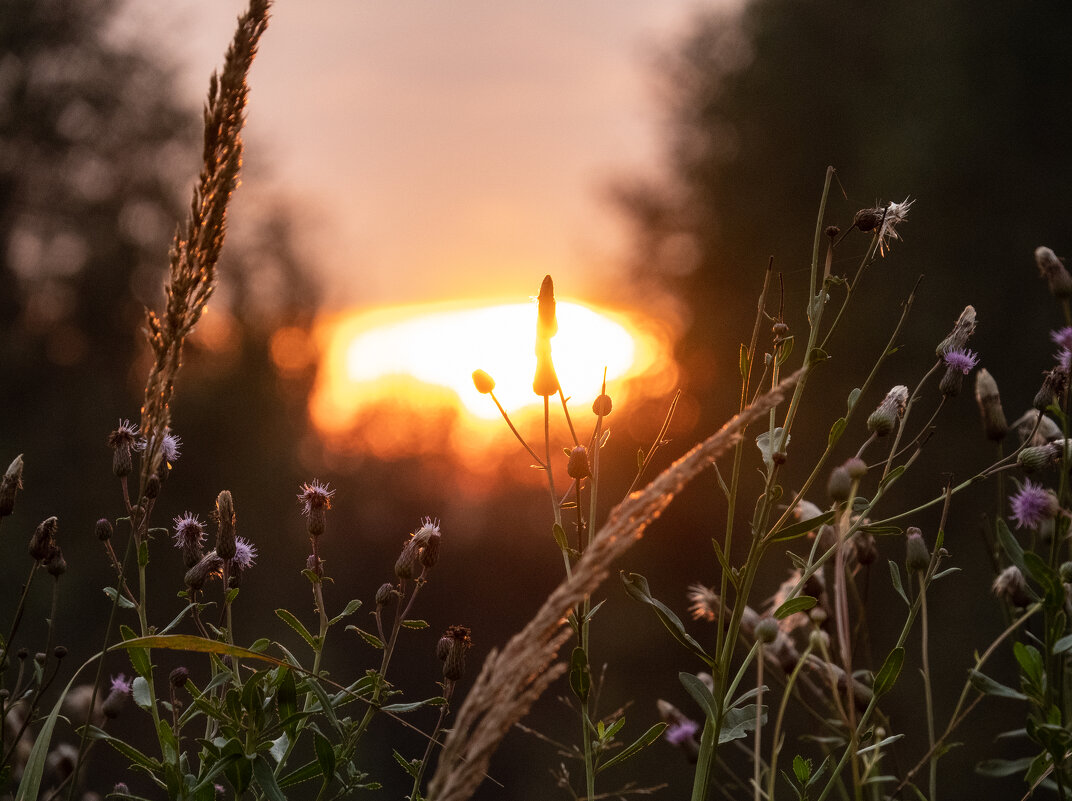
442	150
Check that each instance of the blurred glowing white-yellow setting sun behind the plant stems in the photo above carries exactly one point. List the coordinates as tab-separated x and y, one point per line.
422	359
